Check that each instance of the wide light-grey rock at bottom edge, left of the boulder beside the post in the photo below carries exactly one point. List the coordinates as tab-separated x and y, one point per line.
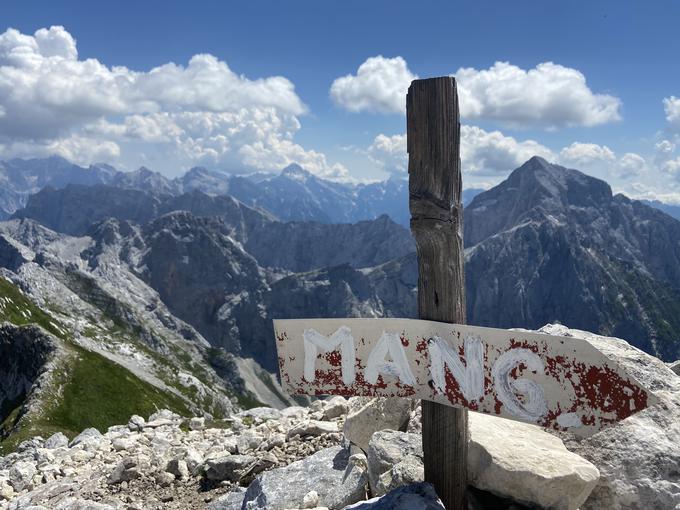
328	472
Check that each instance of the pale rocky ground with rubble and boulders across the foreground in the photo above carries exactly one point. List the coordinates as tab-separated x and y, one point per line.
354	454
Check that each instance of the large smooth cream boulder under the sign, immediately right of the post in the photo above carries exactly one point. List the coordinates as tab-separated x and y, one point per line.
525	463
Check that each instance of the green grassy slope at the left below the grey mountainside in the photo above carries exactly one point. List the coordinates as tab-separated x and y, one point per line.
86	390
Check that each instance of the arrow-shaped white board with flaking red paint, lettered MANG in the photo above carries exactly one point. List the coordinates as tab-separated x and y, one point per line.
556	382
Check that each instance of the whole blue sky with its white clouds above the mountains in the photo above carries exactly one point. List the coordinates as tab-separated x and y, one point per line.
615	62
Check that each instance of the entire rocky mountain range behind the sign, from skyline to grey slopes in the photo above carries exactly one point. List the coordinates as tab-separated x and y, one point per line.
177	280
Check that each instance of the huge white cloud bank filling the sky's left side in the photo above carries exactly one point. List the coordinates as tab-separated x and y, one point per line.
172	116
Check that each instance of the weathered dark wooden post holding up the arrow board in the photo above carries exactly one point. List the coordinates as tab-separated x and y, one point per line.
433	131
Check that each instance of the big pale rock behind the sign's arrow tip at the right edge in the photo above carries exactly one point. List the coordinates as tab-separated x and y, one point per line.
639	457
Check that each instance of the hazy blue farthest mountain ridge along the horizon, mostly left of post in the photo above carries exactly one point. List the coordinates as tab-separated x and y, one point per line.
291	195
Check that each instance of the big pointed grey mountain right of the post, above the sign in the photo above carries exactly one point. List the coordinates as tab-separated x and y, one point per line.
552	244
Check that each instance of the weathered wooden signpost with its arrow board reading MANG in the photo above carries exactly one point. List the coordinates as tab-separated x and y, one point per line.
556	382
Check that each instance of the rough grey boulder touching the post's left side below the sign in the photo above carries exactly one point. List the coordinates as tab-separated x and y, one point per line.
394	459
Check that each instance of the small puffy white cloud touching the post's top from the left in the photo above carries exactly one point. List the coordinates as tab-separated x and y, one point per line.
379	85
